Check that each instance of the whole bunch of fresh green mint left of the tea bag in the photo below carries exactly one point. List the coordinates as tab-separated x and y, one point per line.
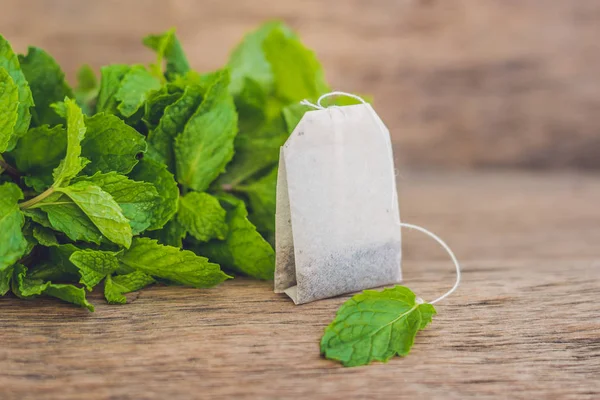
152	174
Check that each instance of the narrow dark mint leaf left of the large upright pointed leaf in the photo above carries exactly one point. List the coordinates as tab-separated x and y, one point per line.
161	139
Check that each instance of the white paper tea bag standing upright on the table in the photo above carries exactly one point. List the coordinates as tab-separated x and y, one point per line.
337	220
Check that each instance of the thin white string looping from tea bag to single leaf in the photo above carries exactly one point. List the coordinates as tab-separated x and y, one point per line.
319	106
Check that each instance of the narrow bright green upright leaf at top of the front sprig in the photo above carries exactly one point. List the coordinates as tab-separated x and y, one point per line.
72	164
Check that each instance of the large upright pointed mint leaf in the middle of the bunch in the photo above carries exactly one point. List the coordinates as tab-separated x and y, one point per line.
205	146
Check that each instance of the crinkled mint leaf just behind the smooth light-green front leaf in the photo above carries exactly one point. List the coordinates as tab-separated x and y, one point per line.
137	200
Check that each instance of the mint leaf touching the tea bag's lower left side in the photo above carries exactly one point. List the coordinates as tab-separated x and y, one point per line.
244	249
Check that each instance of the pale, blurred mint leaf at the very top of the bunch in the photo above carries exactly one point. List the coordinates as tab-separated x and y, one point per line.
248	59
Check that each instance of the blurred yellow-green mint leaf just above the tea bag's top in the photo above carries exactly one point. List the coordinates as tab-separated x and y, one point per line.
297	72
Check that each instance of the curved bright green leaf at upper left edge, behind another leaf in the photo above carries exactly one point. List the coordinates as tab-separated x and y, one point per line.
10	62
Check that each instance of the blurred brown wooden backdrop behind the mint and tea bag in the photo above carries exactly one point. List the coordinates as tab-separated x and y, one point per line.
460	83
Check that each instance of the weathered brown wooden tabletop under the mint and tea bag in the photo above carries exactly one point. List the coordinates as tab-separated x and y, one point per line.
524	324
